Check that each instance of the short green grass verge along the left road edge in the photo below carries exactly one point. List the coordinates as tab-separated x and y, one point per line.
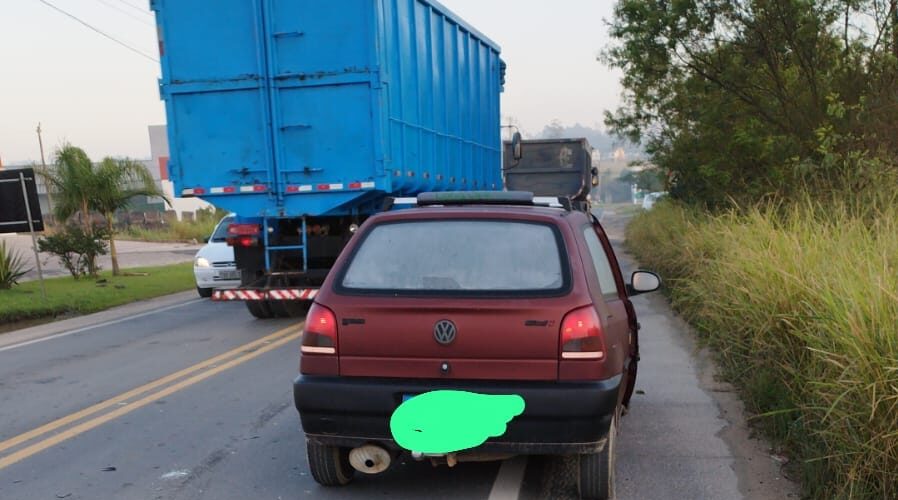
66	296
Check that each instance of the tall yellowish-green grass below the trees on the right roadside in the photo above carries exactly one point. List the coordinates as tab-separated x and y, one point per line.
800	301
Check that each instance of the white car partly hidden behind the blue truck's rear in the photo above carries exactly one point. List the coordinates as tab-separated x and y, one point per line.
214	265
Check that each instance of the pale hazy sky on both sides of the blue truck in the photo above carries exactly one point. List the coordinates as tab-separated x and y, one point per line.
87	90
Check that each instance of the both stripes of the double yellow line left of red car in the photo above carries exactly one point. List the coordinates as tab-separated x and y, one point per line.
126	403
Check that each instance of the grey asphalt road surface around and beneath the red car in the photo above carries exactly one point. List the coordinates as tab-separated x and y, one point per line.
187	399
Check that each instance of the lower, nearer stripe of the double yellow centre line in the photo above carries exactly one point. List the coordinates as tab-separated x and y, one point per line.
124	410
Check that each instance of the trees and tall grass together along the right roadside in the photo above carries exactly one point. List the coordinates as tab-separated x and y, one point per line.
772	125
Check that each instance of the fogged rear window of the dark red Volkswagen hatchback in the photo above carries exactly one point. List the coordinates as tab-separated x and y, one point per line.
459	257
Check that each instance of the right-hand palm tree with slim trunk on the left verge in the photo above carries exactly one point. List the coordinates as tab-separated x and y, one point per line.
118	181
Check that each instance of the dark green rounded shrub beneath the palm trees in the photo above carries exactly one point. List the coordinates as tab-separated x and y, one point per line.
76	249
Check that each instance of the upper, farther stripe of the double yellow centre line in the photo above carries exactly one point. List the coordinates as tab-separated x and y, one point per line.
124	397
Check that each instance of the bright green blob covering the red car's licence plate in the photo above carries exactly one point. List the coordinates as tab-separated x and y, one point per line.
450	421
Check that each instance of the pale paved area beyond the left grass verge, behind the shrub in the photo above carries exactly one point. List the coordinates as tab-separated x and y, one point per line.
130	254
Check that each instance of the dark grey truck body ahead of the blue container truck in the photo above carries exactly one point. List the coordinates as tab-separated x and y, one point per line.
551	167
